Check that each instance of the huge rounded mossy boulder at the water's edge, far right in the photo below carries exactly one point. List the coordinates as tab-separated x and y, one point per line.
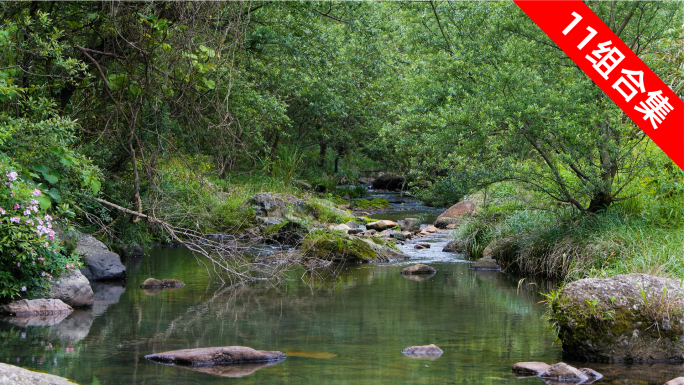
633	318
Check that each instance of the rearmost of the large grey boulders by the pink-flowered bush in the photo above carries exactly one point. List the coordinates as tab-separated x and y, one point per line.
100	263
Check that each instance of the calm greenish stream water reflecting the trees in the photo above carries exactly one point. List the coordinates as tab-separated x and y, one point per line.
344	330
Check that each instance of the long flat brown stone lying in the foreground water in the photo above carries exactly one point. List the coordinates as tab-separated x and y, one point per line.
226	355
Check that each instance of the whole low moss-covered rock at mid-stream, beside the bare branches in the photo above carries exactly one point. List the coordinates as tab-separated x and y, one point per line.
339	247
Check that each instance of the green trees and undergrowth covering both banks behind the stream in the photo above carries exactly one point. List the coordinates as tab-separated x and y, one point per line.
181	111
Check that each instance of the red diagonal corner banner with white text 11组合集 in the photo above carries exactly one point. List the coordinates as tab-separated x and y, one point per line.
615	68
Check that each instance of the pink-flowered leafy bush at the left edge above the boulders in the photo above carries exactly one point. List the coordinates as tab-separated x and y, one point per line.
30	254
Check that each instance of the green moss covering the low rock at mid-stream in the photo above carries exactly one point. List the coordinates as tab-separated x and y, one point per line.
337	246
